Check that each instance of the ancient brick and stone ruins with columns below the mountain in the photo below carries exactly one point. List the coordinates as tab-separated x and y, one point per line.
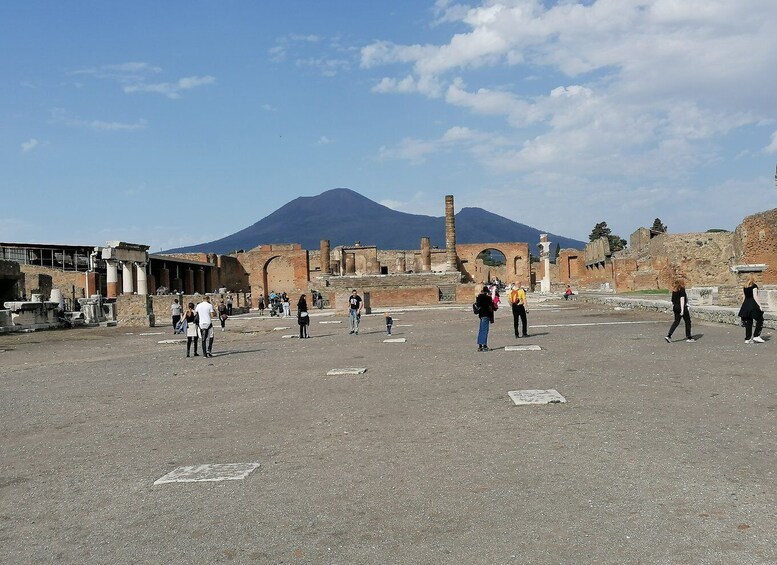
122	283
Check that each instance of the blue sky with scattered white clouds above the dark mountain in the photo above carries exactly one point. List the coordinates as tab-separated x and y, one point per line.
172	123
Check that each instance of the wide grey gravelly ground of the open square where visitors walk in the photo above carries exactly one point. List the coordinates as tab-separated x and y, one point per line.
662	453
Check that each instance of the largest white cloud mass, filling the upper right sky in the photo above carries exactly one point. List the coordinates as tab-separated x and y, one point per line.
641	86
